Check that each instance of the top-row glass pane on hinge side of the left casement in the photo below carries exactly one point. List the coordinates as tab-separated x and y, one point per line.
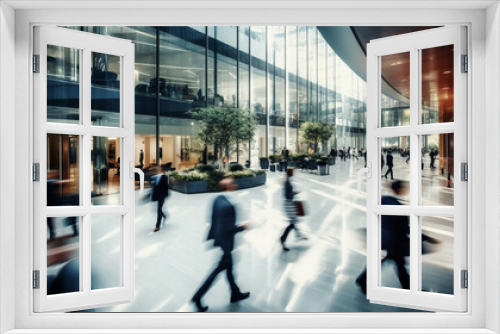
63	85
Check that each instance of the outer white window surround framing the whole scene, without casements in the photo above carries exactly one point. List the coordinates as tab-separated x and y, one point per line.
484	47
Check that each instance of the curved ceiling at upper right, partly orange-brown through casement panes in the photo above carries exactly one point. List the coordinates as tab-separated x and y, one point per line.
437	64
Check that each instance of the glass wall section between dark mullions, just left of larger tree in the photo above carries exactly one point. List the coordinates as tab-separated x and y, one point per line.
182	87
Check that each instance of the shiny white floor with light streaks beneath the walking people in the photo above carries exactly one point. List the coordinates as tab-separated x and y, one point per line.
316	275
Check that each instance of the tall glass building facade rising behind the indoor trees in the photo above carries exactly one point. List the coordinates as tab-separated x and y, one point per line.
285	76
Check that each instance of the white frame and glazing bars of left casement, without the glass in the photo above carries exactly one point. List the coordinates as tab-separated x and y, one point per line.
85	44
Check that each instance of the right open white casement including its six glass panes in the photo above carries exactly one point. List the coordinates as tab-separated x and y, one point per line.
416	200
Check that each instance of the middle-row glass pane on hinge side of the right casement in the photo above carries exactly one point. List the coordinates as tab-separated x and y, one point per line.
437	169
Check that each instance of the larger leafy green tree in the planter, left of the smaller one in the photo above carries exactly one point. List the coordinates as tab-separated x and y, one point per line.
224	126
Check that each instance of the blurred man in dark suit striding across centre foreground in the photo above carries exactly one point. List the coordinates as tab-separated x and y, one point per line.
222	232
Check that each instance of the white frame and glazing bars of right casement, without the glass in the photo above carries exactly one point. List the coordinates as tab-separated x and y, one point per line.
413	44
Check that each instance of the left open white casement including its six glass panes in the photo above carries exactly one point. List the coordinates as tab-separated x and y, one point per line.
83	119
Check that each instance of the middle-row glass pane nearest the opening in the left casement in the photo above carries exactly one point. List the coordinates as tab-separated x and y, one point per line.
105	176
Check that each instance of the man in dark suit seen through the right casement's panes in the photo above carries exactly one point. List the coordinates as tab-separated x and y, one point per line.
395	238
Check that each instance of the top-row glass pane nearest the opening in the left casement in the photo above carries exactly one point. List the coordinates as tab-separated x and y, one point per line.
105	90
